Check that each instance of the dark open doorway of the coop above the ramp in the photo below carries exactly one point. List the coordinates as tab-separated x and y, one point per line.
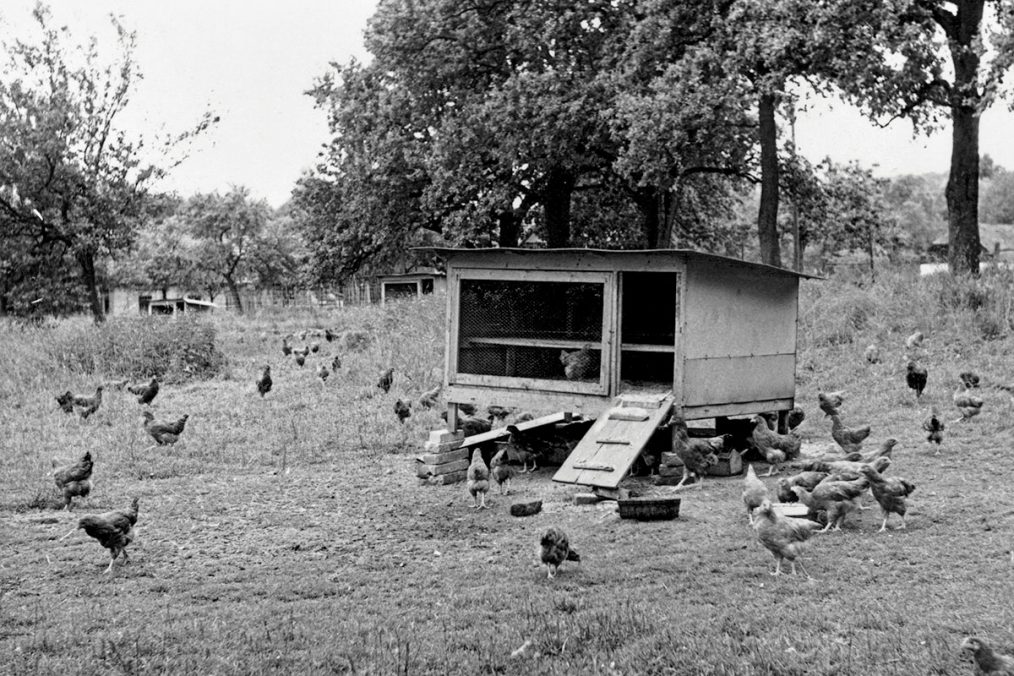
648	313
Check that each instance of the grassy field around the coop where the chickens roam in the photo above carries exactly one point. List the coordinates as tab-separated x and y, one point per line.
289	535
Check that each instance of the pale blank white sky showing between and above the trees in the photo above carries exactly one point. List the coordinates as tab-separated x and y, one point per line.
251	61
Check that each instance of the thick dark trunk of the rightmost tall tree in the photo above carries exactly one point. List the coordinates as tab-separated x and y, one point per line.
963	183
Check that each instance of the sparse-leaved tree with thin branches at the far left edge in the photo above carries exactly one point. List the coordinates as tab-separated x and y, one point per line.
77	184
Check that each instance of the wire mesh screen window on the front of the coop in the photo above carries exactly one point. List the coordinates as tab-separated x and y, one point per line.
531	330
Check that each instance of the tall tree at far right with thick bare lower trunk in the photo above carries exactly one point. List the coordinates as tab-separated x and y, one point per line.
941	56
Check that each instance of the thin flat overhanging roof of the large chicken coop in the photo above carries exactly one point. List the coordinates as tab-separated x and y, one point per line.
619	256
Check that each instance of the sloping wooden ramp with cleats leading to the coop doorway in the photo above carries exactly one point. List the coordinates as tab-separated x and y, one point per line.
607	453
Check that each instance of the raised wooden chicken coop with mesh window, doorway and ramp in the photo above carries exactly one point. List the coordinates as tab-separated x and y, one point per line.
591	332
